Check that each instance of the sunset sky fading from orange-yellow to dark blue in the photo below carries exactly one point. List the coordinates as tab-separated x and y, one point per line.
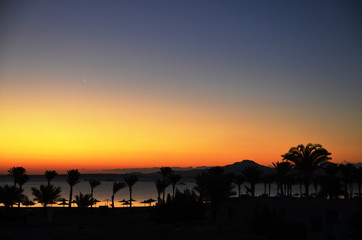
99	85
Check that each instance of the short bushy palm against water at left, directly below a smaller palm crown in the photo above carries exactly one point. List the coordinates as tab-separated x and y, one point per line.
46	194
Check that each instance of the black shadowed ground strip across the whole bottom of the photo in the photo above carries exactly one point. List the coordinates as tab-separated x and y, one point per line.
236	219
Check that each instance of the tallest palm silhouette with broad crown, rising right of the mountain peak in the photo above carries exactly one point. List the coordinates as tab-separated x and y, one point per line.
306	159
